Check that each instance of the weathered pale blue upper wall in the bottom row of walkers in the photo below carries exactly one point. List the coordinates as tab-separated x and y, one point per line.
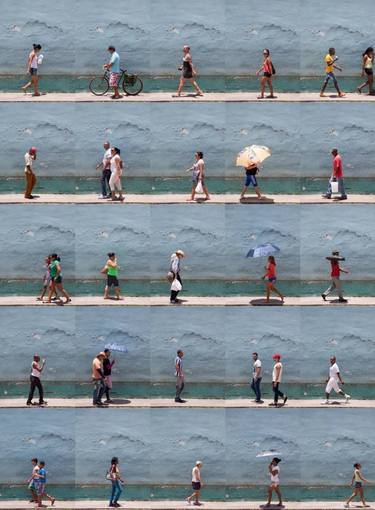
161	445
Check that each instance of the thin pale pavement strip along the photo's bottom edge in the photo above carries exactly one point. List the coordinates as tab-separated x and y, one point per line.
177	505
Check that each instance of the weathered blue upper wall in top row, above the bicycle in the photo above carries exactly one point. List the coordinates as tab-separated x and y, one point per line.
226	37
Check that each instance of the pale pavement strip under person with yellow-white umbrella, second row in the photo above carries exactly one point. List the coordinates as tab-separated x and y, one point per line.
179	198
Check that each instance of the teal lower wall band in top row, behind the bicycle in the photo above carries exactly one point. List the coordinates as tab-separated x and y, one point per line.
50	83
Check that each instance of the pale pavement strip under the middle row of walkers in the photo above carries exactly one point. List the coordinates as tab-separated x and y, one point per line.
191	301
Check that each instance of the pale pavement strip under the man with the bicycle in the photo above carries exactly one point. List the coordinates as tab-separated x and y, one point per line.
167	97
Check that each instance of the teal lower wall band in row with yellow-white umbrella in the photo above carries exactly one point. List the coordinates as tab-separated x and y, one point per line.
160	185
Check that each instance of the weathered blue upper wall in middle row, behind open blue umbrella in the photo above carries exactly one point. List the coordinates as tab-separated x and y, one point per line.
215	239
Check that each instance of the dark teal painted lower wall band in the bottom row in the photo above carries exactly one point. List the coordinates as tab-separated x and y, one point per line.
180	492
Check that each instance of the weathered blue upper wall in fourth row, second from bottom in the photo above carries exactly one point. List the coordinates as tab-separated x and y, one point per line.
217	343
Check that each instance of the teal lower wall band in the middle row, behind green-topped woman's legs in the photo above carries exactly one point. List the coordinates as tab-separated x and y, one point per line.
191	287
